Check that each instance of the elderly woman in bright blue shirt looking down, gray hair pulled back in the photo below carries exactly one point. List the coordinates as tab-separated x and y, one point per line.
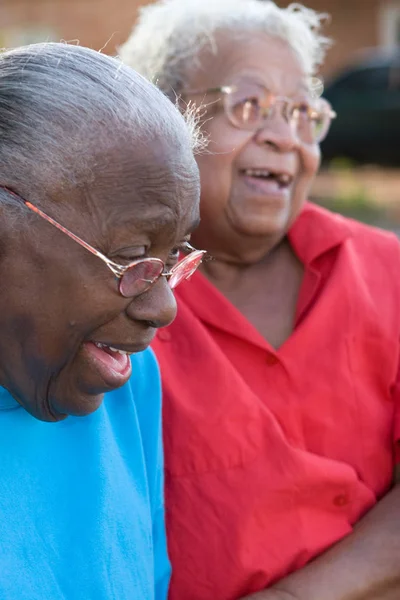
98	195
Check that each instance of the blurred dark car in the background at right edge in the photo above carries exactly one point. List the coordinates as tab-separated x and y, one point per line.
366	98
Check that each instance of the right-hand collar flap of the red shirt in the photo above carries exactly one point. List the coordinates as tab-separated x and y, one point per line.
316	231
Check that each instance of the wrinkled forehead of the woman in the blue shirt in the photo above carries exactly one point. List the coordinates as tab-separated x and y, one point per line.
151	185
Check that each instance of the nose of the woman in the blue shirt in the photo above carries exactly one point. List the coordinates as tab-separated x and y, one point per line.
156	307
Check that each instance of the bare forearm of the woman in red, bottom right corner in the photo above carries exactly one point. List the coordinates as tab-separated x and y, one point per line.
363	566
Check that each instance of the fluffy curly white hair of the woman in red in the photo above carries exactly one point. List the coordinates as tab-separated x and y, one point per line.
169	34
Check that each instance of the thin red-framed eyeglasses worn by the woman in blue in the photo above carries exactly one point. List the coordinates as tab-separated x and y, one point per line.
137	277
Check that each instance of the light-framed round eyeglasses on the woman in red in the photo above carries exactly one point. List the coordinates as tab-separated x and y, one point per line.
248	105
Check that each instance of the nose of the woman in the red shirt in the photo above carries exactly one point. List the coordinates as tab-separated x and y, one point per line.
278	133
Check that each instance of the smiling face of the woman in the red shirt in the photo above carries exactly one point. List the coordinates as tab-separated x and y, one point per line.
253	183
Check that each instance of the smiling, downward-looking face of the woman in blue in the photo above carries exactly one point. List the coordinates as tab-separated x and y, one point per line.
61	302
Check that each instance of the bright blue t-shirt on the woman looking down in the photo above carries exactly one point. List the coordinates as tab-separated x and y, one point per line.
81	500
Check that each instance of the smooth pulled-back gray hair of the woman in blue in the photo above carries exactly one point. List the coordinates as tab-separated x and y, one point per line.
62	105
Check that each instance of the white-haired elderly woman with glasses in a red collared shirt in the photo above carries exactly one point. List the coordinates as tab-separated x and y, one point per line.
281	370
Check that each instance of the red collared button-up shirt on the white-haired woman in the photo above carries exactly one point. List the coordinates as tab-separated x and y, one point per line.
273	455
